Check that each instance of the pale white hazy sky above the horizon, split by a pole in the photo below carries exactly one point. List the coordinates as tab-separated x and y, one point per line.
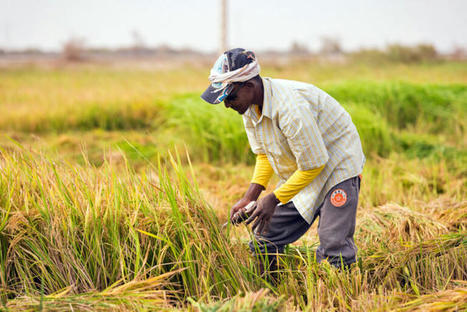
254	24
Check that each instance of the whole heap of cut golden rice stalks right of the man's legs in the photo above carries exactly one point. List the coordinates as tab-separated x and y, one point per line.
408	250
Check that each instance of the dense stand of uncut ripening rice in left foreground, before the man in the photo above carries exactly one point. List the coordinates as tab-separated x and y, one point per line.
90	228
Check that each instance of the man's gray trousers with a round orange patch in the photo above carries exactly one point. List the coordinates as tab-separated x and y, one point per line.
336	226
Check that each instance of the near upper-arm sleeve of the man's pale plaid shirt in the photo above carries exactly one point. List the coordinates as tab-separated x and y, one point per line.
299	126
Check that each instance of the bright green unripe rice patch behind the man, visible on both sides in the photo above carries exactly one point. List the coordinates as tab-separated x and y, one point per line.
391	117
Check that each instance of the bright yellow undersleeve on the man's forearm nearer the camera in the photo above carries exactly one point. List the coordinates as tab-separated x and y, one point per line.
296	183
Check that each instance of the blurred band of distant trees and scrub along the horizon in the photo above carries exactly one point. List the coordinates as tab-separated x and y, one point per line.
75	50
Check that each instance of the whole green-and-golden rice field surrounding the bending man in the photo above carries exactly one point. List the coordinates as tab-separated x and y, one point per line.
115	183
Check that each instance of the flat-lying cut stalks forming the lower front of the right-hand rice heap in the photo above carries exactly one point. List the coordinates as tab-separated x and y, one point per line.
419	267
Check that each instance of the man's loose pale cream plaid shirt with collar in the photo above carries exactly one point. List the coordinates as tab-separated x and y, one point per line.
302	127
